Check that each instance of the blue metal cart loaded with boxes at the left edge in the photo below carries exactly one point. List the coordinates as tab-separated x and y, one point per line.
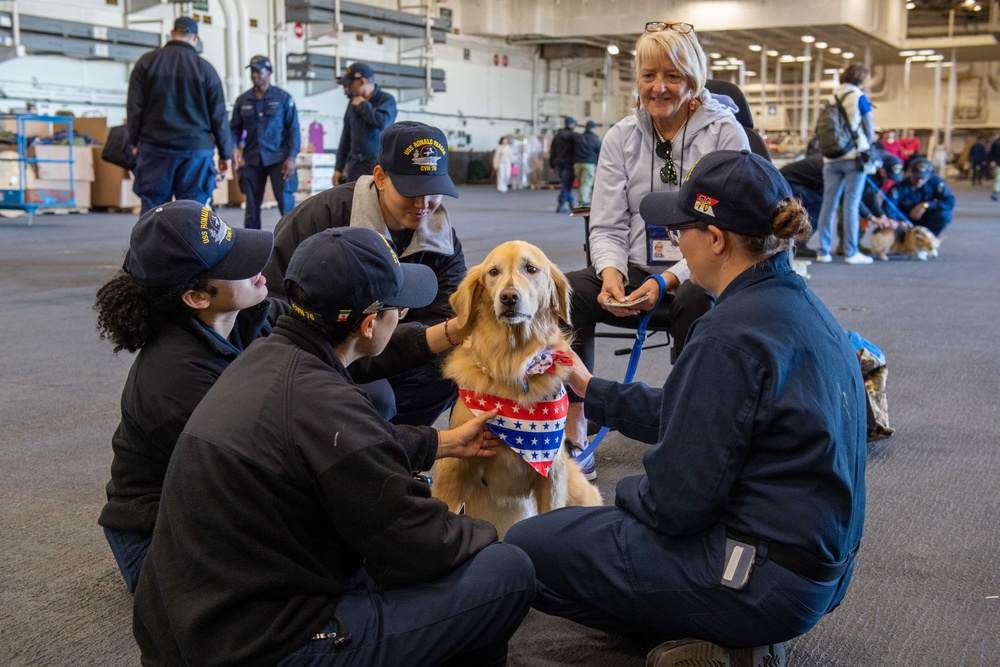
14	190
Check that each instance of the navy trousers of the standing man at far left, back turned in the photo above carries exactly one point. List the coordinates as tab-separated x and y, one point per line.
162	174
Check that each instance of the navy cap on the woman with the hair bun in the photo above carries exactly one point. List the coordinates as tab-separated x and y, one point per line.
738	191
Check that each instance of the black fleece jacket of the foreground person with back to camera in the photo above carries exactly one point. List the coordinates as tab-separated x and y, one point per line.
285	482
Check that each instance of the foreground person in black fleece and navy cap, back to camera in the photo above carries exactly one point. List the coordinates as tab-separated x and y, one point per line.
291	527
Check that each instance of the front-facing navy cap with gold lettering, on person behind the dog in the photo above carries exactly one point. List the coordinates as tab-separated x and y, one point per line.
415	155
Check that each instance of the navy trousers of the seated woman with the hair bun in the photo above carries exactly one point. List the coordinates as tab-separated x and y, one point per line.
600	567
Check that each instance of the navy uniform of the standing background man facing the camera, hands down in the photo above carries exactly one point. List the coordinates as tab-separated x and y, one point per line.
271	127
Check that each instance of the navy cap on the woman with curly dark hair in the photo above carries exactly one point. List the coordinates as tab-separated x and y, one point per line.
184	239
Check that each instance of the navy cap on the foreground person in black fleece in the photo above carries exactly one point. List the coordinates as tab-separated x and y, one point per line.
351	270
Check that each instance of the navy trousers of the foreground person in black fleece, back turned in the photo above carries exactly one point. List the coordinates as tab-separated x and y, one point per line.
465	617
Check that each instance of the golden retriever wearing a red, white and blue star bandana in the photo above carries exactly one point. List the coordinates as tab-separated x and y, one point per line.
516	357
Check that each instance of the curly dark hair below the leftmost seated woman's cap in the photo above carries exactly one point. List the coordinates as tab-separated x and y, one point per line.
130	315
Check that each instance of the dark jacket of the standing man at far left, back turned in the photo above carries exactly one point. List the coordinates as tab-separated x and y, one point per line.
176	101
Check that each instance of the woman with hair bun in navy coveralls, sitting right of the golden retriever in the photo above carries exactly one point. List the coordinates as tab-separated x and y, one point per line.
742	530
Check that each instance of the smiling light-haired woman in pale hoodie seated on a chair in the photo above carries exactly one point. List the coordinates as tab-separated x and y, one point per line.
676	121
